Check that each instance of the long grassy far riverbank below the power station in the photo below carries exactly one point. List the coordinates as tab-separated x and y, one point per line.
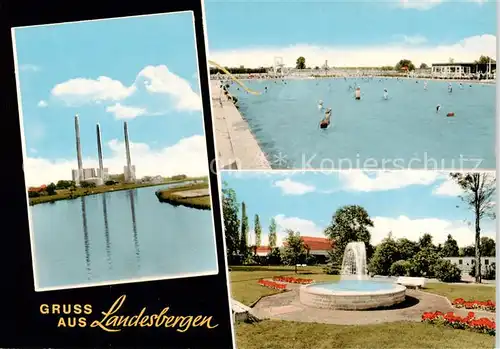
68	194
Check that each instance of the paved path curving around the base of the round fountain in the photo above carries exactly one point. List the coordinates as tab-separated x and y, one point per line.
286	306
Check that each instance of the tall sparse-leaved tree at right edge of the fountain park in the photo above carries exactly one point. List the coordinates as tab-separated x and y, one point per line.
478	194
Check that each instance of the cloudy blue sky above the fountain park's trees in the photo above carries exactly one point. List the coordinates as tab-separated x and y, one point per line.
406	203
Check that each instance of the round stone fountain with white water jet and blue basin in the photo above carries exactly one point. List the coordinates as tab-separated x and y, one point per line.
355	290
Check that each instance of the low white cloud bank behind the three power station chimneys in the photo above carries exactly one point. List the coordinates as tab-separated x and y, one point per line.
188	156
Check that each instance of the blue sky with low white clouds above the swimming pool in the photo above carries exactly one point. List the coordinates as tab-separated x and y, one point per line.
350	33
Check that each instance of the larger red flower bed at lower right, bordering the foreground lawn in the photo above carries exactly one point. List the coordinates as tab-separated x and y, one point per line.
469	322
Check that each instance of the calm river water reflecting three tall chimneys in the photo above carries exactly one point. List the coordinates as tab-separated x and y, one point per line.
117	236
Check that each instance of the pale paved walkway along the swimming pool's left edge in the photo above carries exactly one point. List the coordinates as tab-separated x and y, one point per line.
237	148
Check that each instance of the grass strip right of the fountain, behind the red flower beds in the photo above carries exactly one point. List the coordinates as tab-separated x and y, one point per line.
467	292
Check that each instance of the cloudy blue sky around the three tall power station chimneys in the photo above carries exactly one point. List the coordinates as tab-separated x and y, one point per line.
143	70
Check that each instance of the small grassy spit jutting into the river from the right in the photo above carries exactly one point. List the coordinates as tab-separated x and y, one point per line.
194	196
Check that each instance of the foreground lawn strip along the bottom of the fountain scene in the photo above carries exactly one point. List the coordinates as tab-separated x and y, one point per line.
270	334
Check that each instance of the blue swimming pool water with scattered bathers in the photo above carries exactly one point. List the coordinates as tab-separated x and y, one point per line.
390	133
